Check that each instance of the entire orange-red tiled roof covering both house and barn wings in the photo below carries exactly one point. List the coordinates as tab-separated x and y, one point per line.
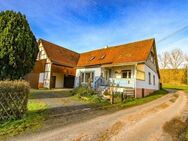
126	53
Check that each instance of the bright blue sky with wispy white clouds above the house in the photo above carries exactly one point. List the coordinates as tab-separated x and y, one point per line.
83	25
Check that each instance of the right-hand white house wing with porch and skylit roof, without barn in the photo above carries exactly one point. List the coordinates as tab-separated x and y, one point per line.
129	66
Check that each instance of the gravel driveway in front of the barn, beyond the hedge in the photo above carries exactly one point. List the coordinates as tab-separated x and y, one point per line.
59	101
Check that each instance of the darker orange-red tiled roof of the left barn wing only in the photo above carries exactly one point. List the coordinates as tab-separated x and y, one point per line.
59	55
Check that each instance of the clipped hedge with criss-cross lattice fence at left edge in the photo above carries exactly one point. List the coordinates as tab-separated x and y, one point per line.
13	99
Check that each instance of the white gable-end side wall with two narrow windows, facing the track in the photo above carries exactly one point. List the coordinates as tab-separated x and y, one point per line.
145	84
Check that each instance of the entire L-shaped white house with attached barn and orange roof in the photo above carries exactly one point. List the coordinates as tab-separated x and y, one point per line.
129	66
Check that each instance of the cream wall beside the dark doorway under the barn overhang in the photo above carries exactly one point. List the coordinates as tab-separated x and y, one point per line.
59	80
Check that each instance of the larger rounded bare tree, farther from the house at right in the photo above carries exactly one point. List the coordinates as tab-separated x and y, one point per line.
176	58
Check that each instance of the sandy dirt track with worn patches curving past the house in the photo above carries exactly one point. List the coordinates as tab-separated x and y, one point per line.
141	123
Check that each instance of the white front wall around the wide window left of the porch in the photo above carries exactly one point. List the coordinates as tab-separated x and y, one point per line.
97	74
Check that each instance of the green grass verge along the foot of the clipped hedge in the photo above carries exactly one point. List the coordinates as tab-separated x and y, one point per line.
31	121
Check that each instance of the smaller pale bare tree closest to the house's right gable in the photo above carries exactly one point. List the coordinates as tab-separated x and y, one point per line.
164	60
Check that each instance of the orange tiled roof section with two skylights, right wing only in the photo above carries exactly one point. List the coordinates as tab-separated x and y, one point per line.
132	52
